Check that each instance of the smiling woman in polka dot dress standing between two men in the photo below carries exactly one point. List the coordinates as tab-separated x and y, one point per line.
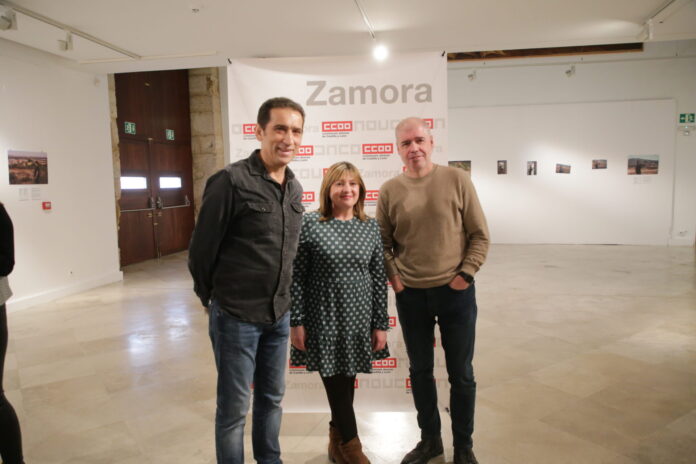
339	315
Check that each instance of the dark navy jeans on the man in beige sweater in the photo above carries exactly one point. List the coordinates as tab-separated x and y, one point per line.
455	312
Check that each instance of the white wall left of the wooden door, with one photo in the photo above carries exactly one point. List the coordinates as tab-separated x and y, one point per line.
44	106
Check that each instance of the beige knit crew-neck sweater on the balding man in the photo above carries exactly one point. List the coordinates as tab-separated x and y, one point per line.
432	227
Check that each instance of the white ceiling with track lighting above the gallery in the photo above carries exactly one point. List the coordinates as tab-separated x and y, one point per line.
161	30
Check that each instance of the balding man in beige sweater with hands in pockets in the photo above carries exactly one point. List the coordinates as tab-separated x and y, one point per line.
435	240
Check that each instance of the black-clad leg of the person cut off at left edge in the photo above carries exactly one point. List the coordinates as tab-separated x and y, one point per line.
10	436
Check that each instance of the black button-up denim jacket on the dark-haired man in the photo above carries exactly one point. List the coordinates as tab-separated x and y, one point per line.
245	241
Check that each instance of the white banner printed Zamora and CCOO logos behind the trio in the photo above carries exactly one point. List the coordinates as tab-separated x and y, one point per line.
352	105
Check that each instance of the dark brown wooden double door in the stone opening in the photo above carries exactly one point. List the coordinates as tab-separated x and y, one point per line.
157	213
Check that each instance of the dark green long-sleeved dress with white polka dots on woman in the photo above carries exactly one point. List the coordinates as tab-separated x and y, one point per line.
339	294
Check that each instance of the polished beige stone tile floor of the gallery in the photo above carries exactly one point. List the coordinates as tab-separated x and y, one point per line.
585	354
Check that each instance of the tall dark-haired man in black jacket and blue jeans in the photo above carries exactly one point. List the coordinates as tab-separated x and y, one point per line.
240	258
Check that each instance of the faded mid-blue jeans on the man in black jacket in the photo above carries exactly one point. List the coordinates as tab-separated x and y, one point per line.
246	354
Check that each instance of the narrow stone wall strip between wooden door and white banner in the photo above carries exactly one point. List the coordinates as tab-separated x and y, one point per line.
207	144
